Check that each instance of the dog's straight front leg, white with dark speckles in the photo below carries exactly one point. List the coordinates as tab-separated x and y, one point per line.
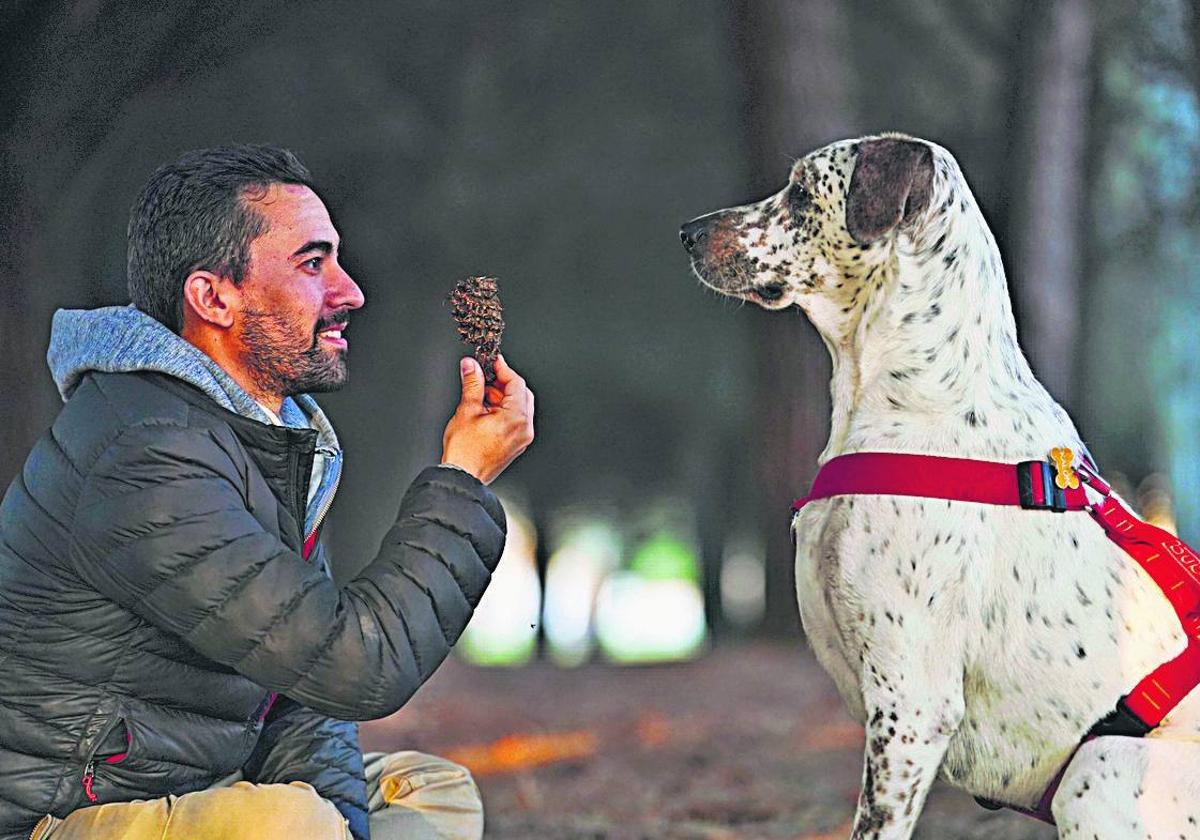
915	705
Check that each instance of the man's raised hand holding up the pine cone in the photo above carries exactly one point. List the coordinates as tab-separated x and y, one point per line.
491	427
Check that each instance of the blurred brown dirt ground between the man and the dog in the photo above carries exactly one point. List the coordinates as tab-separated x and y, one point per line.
747	742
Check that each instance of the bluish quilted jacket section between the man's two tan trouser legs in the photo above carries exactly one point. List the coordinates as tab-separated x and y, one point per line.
298	745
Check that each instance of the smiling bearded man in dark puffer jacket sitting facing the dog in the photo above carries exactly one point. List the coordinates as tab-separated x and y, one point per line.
169	629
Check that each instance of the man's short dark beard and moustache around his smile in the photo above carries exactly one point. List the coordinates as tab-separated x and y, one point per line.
280	361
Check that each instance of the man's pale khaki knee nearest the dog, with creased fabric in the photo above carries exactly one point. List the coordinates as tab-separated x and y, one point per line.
418	795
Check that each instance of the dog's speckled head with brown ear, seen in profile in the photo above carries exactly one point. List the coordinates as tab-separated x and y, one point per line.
815	243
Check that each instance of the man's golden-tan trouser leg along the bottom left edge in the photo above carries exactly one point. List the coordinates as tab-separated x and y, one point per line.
268	812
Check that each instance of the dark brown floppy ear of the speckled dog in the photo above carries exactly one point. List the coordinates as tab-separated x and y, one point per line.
892	183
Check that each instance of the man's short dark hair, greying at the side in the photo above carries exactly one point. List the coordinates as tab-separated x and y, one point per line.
193	215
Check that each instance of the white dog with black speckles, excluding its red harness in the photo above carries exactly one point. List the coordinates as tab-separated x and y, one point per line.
974	640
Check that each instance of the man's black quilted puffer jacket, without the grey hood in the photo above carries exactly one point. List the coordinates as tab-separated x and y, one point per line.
153	597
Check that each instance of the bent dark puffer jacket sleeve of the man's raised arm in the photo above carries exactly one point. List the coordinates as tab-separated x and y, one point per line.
164	529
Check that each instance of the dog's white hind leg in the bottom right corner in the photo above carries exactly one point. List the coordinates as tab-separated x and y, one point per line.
1131	789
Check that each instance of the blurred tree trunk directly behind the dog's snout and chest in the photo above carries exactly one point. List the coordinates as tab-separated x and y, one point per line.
796	83
